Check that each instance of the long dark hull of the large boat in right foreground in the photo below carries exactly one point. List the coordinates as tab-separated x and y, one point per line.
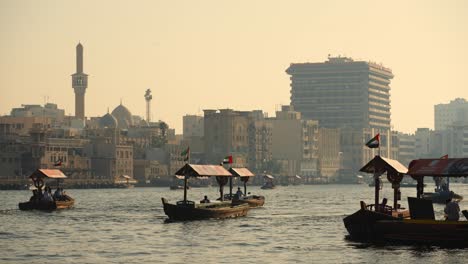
370	226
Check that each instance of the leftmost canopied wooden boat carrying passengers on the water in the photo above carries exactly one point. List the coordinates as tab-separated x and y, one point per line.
35	203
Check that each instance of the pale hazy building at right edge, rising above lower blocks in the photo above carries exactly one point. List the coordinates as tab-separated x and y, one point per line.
453	113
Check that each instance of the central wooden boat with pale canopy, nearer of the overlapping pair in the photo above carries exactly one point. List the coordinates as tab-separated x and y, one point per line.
189	210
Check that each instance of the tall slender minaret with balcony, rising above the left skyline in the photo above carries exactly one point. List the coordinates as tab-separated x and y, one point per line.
79	83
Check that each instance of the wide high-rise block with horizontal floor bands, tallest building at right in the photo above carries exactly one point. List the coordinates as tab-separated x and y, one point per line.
342	93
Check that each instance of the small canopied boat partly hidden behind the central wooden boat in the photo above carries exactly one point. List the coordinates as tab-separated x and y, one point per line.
252	200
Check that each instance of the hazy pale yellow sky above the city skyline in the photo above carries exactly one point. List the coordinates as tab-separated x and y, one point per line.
197	55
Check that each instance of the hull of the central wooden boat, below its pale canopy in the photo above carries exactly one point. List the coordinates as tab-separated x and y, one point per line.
180	212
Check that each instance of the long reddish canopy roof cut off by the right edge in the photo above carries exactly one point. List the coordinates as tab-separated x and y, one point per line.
439	167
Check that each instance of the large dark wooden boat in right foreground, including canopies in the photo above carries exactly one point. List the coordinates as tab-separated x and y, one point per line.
418	225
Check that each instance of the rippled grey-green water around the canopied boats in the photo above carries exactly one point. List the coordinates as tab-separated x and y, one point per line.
299	224
